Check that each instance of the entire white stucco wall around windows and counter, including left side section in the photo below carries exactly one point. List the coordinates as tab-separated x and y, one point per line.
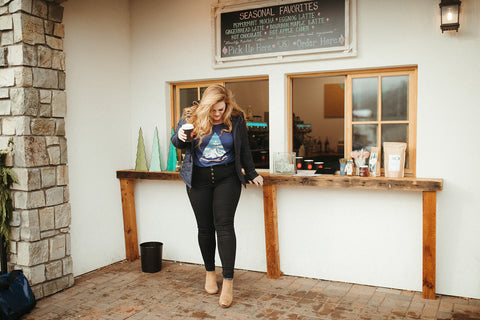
369	237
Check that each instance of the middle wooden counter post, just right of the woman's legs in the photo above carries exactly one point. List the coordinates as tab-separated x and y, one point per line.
271	231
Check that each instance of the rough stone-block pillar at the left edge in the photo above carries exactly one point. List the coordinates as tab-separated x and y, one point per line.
32	111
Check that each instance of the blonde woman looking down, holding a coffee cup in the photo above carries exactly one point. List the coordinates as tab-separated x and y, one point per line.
212	171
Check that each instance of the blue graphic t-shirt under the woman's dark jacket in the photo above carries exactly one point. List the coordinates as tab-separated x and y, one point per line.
215	149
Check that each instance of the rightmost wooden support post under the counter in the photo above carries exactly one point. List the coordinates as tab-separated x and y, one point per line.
429	240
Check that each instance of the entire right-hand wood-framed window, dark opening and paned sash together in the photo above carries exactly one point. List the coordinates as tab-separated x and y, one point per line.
380	106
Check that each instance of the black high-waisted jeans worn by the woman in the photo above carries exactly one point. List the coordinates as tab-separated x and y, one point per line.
214	197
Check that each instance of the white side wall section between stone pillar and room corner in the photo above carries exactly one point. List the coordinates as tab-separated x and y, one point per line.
98	127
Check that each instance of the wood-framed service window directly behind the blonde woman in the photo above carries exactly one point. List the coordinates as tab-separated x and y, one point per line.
251	94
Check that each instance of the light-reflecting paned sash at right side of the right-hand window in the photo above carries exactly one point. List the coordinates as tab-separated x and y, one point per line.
381	106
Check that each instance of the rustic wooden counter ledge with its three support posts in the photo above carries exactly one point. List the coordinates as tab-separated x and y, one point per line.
428	187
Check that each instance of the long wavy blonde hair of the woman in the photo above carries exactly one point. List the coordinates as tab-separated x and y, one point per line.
200	114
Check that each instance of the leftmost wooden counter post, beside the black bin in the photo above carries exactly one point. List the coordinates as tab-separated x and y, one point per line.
129	219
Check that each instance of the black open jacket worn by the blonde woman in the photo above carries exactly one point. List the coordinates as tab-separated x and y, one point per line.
243	156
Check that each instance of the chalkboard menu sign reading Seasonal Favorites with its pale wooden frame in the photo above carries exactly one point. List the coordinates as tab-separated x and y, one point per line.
274	31
